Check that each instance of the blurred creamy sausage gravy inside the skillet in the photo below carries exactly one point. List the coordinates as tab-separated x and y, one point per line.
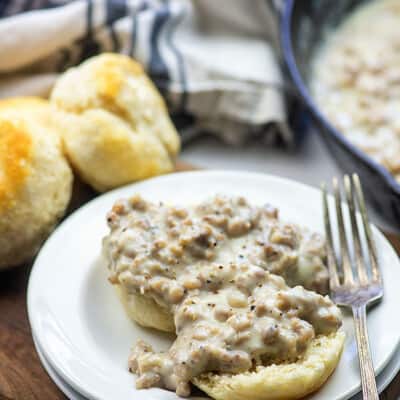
356	80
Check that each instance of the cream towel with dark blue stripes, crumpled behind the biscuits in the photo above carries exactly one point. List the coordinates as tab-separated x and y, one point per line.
214	60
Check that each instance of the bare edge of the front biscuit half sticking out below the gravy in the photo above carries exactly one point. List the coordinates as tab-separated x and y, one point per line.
279	381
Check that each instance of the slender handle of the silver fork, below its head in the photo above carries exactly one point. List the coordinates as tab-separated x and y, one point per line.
368	381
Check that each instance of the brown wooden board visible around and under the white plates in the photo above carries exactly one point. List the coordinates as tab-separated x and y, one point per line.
22	376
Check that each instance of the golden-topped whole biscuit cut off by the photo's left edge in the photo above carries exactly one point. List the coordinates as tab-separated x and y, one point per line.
35	179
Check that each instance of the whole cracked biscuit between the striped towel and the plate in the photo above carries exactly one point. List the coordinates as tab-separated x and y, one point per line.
116	127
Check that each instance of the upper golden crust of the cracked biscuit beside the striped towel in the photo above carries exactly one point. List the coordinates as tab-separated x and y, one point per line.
118	86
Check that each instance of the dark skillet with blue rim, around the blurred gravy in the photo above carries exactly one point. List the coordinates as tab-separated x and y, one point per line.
303	25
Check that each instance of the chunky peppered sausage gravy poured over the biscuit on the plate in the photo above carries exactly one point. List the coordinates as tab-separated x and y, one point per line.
214	266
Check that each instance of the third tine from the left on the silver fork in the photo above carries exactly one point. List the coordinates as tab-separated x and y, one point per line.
361	269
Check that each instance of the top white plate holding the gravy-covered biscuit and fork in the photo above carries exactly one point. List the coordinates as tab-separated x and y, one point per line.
83	331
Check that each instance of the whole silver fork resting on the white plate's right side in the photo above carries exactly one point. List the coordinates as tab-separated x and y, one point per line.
359	287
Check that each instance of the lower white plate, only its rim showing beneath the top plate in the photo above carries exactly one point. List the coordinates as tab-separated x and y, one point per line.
383	380
